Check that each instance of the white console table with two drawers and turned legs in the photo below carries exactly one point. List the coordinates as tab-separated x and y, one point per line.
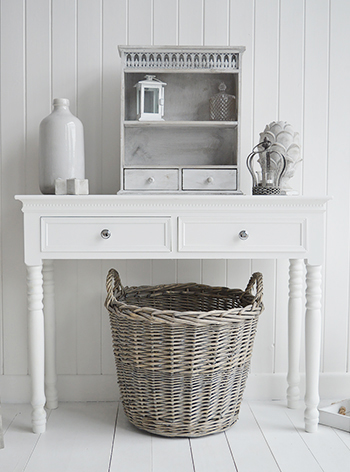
173	227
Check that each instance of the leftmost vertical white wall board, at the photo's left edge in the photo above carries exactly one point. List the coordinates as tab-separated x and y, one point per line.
13	144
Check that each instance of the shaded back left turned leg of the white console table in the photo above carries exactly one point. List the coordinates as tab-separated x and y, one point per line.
50	336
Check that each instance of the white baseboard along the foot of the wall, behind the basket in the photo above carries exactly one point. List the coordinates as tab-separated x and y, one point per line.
16	388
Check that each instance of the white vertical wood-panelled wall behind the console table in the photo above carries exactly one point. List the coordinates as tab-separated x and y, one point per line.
295	69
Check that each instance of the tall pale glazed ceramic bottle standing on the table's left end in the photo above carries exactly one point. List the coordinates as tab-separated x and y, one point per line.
61	147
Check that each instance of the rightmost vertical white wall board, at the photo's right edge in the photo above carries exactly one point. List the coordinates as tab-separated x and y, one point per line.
336	324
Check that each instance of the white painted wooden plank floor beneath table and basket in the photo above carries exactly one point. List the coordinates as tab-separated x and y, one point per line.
96	437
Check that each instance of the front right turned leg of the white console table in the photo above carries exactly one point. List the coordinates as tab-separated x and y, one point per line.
312	345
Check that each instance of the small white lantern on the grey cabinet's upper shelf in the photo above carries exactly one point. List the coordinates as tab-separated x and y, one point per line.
150	99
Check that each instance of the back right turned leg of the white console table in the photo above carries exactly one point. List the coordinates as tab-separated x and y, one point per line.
294	330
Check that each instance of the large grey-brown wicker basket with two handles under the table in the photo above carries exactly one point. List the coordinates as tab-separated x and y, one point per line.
182	353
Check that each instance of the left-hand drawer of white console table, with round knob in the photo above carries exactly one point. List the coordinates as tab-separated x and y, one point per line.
115	234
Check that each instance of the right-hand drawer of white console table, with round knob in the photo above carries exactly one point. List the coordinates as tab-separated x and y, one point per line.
220	235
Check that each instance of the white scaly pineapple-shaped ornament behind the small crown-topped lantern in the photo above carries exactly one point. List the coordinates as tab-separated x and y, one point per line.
286	141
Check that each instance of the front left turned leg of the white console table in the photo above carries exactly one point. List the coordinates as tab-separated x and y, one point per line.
36	346
